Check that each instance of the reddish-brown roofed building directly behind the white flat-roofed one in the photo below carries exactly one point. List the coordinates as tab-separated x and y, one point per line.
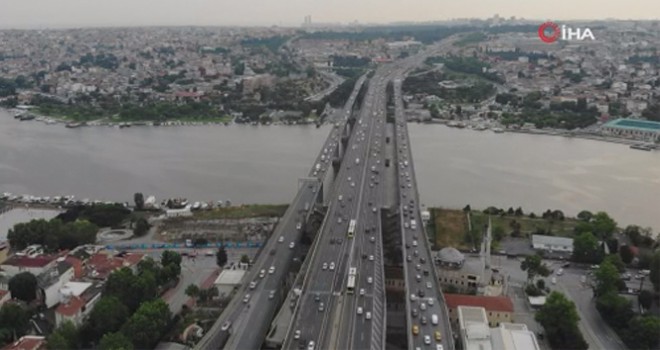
499	309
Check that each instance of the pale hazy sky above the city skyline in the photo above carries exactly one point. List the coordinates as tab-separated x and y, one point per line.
68	13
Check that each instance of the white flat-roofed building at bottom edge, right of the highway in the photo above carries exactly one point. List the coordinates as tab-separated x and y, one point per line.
476	335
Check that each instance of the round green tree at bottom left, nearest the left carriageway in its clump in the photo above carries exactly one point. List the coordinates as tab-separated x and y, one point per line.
147	325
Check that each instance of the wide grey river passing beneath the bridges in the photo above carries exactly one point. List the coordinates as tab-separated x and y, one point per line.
261	164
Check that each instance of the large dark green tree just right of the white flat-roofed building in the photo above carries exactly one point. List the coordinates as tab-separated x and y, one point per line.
559	318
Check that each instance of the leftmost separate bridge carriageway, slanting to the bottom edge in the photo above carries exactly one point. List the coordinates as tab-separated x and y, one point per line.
246	319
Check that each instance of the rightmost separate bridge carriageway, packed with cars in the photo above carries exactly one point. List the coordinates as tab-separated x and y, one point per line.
426	309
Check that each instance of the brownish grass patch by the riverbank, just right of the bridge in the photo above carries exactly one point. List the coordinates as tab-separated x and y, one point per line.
449	228
